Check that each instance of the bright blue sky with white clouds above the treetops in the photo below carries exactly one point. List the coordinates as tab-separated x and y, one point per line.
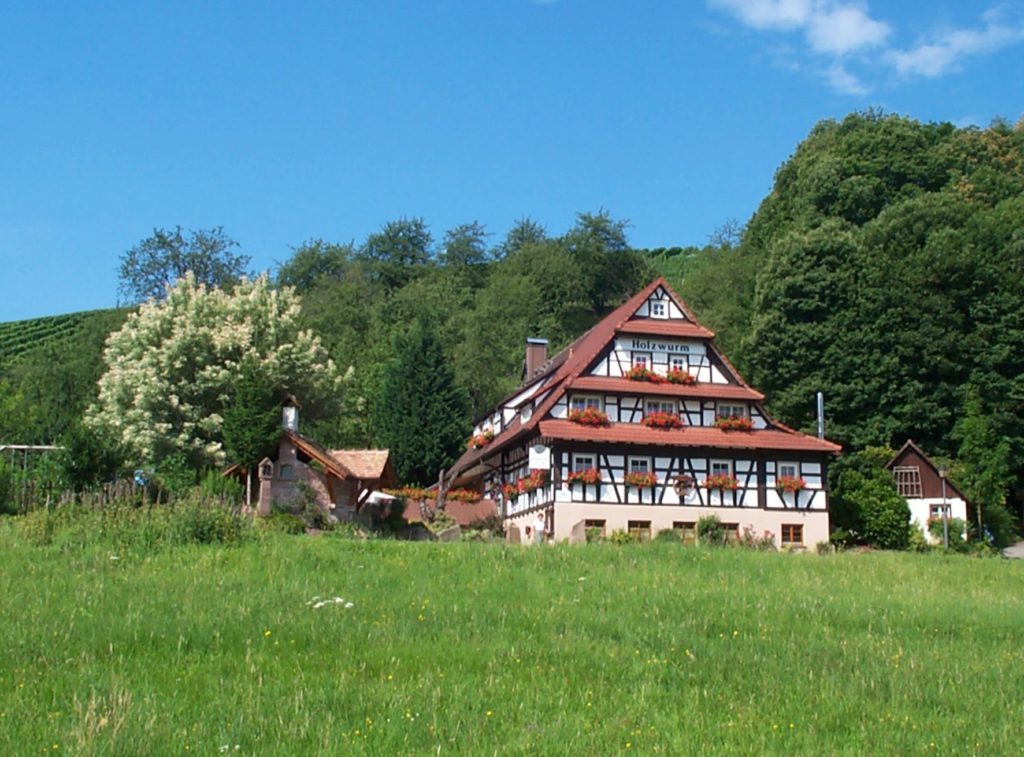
283	125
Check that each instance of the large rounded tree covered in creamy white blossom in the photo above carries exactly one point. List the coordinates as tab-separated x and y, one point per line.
174	366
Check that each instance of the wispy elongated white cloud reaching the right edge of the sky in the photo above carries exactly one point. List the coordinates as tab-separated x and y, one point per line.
946	53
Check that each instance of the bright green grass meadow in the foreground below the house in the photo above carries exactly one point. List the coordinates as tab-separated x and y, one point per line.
480	649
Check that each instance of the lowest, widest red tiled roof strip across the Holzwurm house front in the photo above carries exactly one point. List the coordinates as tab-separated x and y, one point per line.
634	434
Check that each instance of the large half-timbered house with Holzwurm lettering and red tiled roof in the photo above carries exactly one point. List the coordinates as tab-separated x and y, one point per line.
643	426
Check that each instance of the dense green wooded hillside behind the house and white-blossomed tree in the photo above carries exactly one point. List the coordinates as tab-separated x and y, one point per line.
885	269
